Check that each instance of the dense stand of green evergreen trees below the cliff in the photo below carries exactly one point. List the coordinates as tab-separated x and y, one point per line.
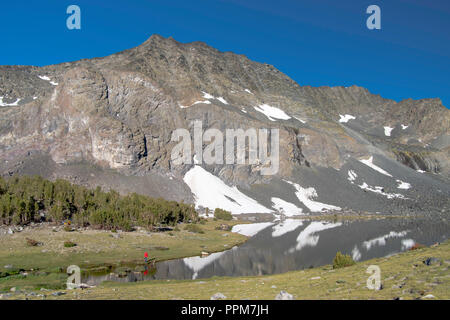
31	198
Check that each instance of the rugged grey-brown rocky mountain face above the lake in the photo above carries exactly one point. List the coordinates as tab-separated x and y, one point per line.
116	115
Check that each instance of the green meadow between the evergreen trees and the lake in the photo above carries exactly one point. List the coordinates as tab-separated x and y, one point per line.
96	249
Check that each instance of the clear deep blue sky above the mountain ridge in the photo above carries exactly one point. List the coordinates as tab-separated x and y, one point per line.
315	42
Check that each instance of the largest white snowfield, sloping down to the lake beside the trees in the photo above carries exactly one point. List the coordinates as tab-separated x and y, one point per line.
211	192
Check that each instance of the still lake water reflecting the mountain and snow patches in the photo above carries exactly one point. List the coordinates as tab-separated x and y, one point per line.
294	245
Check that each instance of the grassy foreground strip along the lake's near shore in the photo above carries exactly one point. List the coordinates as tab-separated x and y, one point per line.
405	269
